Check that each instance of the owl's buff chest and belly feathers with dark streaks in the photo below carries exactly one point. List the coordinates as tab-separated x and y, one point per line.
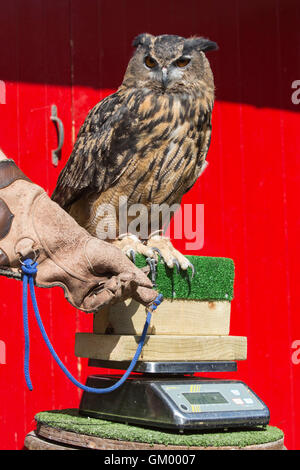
165	156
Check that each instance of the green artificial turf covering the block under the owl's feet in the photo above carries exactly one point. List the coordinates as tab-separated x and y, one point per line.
213	279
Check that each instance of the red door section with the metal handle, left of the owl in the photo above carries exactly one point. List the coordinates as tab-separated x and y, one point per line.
36	54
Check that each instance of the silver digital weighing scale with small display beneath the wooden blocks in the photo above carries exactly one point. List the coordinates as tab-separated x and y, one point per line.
167	395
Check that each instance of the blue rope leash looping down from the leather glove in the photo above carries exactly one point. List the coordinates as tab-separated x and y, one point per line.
29	268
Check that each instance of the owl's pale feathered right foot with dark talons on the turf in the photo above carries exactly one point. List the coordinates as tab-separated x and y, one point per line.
169	254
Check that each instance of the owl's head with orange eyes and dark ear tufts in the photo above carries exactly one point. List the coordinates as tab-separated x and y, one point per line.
169	63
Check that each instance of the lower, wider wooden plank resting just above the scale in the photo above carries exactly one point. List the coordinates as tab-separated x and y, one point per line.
161	347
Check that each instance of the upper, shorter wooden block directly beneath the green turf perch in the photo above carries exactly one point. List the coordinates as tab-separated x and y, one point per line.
180	317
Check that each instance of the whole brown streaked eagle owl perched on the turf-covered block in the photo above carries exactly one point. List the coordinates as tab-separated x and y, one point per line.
147	142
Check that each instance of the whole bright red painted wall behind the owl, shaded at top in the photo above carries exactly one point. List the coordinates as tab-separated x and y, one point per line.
73	53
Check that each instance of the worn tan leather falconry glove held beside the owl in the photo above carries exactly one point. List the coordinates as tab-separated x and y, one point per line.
92	272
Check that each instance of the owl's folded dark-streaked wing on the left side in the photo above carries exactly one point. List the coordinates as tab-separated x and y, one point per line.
99	153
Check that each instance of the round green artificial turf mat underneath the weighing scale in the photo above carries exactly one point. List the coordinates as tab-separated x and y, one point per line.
70	420
